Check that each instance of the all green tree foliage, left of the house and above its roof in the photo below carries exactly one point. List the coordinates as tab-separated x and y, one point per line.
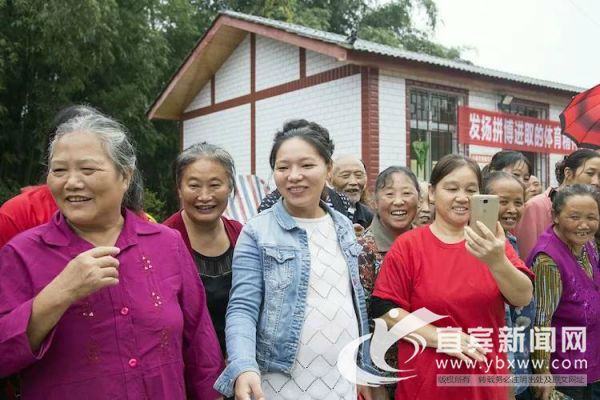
116	55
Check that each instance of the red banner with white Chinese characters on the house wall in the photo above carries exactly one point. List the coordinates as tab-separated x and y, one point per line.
514	132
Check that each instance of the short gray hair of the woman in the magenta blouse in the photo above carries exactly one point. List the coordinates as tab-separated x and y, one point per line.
117	145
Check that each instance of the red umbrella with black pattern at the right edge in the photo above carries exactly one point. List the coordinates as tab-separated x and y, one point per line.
580	120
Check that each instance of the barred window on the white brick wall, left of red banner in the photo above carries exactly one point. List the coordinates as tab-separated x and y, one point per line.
433	130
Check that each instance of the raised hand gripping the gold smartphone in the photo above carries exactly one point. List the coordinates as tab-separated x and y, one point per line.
487	246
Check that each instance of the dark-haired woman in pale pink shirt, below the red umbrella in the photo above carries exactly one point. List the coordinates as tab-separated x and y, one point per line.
581	166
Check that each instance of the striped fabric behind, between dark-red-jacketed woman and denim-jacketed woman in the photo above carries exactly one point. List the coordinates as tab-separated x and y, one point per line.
250	191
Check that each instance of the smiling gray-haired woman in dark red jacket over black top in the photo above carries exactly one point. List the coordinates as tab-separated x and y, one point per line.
205	176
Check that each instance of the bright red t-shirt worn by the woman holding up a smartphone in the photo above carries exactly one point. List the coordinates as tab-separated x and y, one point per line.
422	271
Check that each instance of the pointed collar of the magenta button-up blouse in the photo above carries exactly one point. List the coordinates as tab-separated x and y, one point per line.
59	233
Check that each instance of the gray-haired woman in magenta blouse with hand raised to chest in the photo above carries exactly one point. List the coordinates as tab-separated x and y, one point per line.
97	303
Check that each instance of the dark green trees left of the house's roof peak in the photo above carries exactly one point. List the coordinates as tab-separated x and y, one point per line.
114	55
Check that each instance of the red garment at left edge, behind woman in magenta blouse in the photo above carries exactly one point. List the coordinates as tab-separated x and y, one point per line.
35	206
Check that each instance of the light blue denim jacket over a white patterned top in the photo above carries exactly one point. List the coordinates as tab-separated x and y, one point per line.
265	315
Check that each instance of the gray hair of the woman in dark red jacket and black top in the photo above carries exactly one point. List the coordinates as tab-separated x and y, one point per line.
208	151
